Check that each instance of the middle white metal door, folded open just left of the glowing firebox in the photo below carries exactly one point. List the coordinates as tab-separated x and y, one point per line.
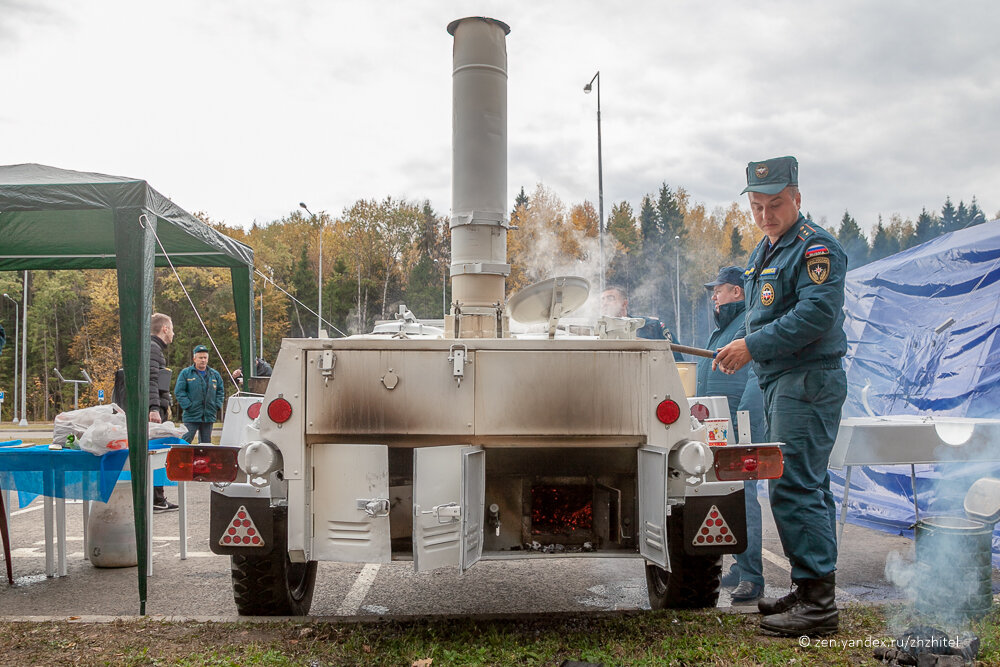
447	510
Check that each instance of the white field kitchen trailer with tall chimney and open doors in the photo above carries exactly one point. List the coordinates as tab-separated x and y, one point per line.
456	444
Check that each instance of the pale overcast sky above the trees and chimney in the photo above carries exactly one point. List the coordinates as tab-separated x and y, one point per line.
244	109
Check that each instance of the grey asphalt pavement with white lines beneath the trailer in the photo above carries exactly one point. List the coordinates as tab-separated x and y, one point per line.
199	587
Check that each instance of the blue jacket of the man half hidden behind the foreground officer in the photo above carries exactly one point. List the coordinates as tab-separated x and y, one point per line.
741	388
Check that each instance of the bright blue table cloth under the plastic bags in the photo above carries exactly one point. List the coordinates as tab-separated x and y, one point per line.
31	471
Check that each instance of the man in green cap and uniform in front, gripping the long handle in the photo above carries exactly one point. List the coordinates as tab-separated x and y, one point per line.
794	335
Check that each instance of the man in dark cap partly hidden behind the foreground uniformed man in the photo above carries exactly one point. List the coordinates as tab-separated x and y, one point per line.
743	393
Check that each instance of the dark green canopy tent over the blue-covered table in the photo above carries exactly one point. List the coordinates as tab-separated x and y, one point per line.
59	219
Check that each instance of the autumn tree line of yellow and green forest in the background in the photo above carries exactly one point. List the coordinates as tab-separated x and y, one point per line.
377	254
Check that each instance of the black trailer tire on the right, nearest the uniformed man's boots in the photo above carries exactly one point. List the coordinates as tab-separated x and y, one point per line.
694	581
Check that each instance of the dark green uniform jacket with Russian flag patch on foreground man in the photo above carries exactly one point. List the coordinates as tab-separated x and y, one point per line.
795	302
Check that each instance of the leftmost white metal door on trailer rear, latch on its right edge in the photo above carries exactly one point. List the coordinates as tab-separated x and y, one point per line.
351	509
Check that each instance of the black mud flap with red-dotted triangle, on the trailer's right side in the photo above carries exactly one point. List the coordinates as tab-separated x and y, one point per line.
715	525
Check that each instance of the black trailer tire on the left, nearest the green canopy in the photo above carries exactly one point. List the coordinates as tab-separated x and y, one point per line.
272	585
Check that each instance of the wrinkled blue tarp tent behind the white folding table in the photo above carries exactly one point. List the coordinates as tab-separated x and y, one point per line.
923	330
